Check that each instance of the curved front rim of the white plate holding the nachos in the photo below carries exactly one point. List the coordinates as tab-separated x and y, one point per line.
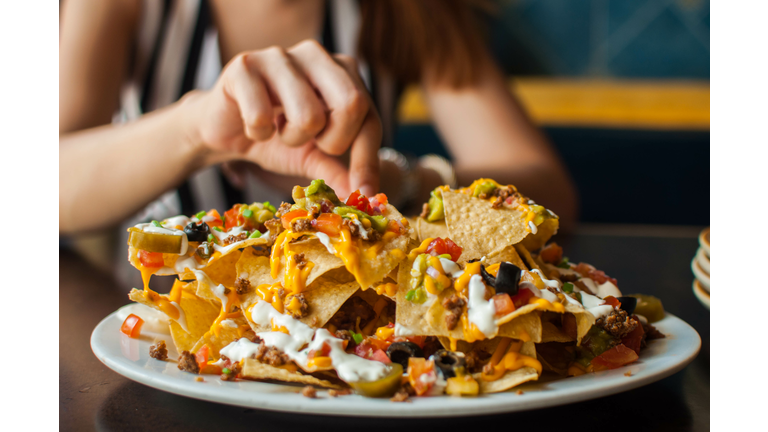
420	408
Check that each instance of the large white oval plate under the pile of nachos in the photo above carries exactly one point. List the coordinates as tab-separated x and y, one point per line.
130	358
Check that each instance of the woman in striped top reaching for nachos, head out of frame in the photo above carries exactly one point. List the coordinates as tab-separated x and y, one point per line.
283	102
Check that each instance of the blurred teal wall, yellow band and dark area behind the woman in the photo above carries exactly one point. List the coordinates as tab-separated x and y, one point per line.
622	90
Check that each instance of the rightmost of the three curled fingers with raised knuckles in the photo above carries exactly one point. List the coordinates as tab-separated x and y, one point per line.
346	99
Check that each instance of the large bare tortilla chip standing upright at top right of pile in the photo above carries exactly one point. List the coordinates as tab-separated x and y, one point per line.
480	229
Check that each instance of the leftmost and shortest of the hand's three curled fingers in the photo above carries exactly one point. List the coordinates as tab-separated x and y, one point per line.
244	85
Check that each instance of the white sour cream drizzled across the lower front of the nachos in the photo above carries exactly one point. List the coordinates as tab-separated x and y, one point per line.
298	335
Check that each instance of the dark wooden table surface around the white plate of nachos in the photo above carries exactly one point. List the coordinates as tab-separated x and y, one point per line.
647	260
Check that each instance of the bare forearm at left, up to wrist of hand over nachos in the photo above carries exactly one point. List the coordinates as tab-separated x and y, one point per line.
109	172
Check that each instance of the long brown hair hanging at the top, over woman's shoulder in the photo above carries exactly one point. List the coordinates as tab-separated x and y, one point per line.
414	39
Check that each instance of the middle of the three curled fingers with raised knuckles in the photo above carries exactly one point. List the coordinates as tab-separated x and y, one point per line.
305	113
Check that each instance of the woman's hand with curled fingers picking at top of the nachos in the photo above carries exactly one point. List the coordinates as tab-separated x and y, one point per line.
292	112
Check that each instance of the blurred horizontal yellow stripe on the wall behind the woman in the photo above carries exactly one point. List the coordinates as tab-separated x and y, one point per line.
671	105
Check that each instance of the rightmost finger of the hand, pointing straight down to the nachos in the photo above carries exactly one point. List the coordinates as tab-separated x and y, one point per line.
364	158
